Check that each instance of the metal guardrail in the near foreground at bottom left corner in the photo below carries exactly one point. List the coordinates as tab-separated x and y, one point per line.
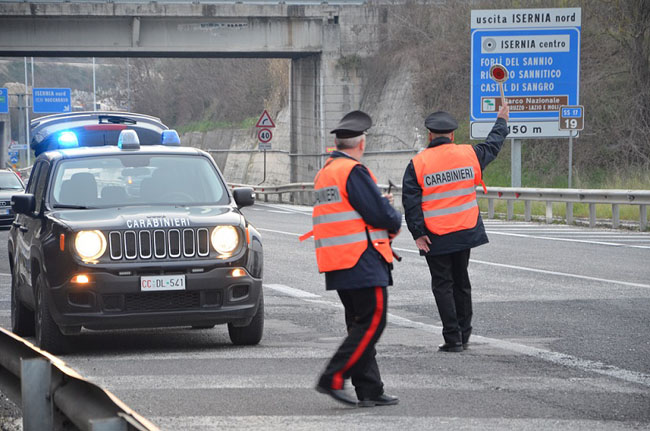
50	392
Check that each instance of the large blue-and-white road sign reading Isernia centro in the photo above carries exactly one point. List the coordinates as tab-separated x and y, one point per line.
541	50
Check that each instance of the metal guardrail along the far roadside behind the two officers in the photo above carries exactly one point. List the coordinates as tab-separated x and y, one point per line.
302	194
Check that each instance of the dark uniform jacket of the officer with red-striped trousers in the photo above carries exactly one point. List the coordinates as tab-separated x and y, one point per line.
371	270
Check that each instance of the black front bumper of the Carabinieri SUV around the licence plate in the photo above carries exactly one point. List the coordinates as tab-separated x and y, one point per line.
112	301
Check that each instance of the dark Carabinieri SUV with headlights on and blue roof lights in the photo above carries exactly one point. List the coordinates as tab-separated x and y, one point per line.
132	236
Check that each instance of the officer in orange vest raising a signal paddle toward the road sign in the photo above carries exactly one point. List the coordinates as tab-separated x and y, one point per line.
439	199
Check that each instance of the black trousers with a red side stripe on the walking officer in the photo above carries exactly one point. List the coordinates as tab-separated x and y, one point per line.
365	317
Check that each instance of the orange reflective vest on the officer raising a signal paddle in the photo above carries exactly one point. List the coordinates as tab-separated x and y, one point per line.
448	175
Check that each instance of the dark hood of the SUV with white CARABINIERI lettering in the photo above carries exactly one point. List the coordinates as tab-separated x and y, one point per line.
158	217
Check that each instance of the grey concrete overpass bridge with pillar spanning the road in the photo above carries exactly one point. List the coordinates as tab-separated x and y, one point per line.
314	36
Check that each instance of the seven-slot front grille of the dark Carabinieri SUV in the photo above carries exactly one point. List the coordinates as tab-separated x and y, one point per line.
159	244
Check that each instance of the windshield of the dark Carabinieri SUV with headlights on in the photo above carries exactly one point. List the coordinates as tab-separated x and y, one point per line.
136	179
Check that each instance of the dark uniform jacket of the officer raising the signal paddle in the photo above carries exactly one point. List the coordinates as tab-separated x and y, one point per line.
412	199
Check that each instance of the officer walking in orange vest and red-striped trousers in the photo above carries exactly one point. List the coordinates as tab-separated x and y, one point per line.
353	225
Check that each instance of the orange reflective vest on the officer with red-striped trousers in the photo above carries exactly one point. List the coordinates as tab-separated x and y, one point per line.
340	233
